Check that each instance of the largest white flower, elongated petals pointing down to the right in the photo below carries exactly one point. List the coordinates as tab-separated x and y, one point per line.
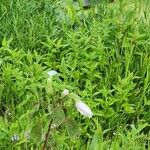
84	109
